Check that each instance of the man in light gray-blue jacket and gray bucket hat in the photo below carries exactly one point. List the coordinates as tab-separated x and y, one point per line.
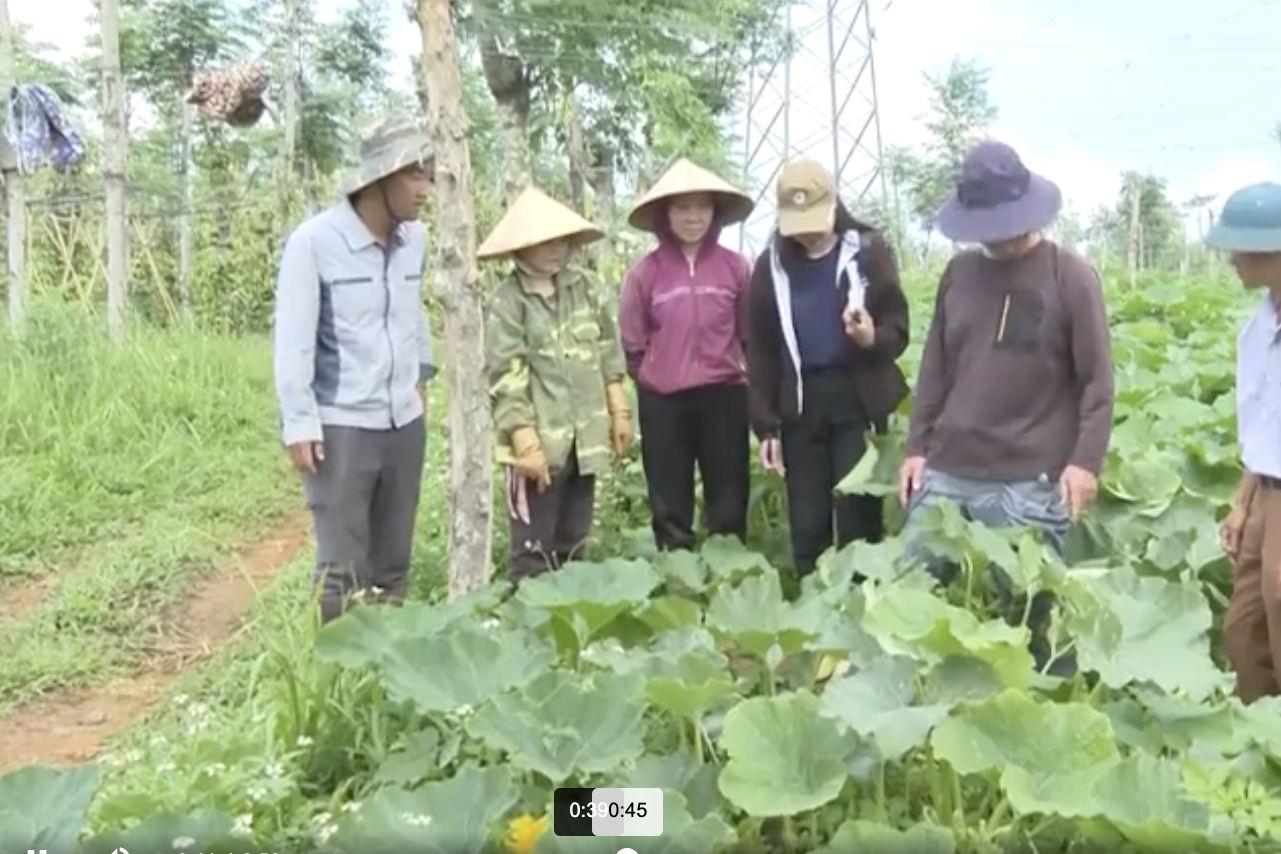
353	355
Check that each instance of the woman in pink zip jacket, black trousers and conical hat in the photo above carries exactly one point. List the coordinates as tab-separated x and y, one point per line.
683	323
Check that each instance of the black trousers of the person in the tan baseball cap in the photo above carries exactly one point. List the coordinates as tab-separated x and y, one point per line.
819	449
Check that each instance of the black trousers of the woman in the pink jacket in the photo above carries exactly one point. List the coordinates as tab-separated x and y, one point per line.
706	428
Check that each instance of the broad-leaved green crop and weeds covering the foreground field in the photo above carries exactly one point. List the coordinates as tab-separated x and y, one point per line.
701	674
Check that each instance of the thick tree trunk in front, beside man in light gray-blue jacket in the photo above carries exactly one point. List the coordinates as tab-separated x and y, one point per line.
458	290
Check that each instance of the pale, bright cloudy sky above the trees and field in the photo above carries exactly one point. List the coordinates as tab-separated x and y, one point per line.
1086	89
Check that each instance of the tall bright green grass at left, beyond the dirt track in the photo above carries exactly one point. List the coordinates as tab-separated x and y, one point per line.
97	436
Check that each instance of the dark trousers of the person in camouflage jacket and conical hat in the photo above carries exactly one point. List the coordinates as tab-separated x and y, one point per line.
560	519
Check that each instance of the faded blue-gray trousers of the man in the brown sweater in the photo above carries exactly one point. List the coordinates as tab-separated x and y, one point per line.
1036	504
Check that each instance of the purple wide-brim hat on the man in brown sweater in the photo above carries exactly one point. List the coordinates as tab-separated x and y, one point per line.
997	198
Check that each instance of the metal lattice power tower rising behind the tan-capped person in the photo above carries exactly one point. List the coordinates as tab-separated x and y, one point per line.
818	99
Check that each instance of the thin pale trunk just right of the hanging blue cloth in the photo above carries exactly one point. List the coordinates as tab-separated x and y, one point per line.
115	156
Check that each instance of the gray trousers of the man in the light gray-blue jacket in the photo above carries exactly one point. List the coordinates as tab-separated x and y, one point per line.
364	503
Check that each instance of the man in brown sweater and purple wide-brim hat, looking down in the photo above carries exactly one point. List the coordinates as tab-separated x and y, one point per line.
1013	410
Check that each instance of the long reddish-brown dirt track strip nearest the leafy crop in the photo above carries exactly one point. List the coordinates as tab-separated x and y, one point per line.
71	727
